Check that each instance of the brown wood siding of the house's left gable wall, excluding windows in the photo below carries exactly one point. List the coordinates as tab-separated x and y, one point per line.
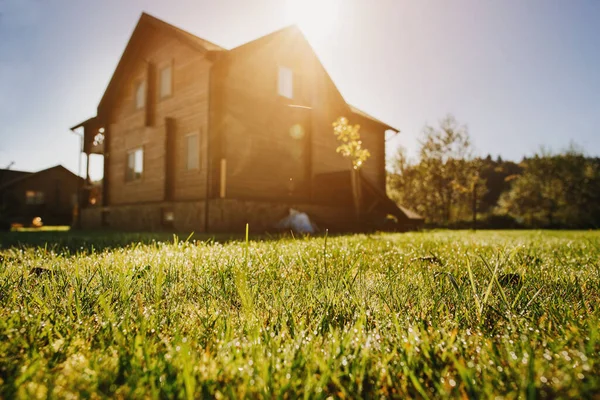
187	106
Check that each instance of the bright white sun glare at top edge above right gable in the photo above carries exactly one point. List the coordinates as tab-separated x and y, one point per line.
315	17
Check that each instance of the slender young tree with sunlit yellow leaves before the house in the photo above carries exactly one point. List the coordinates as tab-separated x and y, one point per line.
351	148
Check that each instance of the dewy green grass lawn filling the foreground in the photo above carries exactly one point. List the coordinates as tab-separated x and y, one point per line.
137	316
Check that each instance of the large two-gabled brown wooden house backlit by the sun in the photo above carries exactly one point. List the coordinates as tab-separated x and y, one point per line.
199	138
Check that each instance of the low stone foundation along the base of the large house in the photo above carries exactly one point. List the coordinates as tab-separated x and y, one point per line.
225	215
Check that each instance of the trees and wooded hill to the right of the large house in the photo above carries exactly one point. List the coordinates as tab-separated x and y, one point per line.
450	186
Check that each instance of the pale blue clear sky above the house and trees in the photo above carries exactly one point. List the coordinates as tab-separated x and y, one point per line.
520	74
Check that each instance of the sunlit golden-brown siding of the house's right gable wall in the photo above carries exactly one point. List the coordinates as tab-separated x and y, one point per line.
253	122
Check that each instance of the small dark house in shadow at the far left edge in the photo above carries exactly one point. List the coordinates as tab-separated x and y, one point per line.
50	194
